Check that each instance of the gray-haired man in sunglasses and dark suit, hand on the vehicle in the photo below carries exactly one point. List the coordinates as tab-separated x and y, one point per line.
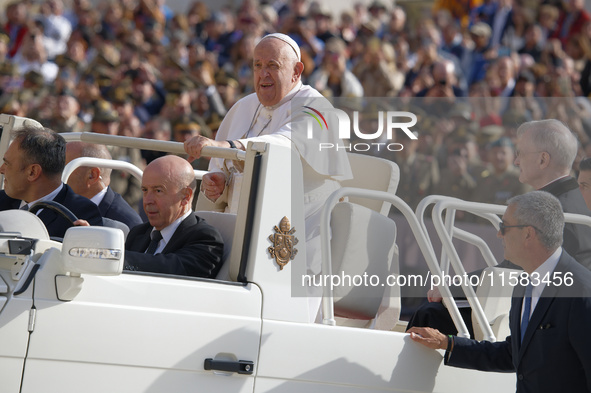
550	318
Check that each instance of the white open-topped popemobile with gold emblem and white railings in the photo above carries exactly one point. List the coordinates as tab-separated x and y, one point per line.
72	321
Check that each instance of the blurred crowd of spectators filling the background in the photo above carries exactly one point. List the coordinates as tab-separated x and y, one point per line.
137	68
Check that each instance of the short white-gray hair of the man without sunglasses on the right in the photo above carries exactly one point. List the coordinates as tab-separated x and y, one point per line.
554	137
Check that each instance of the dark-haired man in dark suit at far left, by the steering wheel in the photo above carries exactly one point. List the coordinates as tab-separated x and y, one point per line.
32	170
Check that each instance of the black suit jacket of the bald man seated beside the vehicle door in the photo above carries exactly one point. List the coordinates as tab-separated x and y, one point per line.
195	249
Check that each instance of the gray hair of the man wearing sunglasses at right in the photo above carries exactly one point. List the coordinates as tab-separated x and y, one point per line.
543	211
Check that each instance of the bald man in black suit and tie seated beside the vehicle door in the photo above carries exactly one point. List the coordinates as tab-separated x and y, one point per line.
175	241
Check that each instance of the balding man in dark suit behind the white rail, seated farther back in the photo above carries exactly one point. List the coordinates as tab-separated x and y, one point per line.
93	183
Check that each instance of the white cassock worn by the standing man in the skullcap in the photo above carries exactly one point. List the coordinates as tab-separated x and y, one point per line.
248	120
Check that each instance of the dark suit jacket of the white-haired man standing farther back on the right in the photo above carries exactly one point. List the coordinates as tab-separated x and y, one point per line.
577	238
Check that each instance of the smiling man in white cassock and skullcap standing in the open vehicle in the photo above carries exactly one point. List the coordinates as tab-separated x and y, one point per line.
268	116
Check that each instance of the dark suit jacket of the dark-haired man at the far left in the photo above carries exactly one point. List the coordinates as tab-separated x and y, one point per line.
57	225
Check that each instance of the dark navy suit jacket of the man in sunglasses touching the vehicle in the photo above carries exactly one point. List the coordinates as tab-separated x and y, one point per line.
555	355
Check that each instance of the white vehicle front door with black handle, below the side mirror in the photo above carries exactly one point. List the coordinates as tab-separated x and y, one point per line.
144	333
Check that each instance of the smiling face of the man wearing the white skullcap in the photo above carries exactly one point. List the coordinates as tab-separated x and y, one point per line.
276	72
